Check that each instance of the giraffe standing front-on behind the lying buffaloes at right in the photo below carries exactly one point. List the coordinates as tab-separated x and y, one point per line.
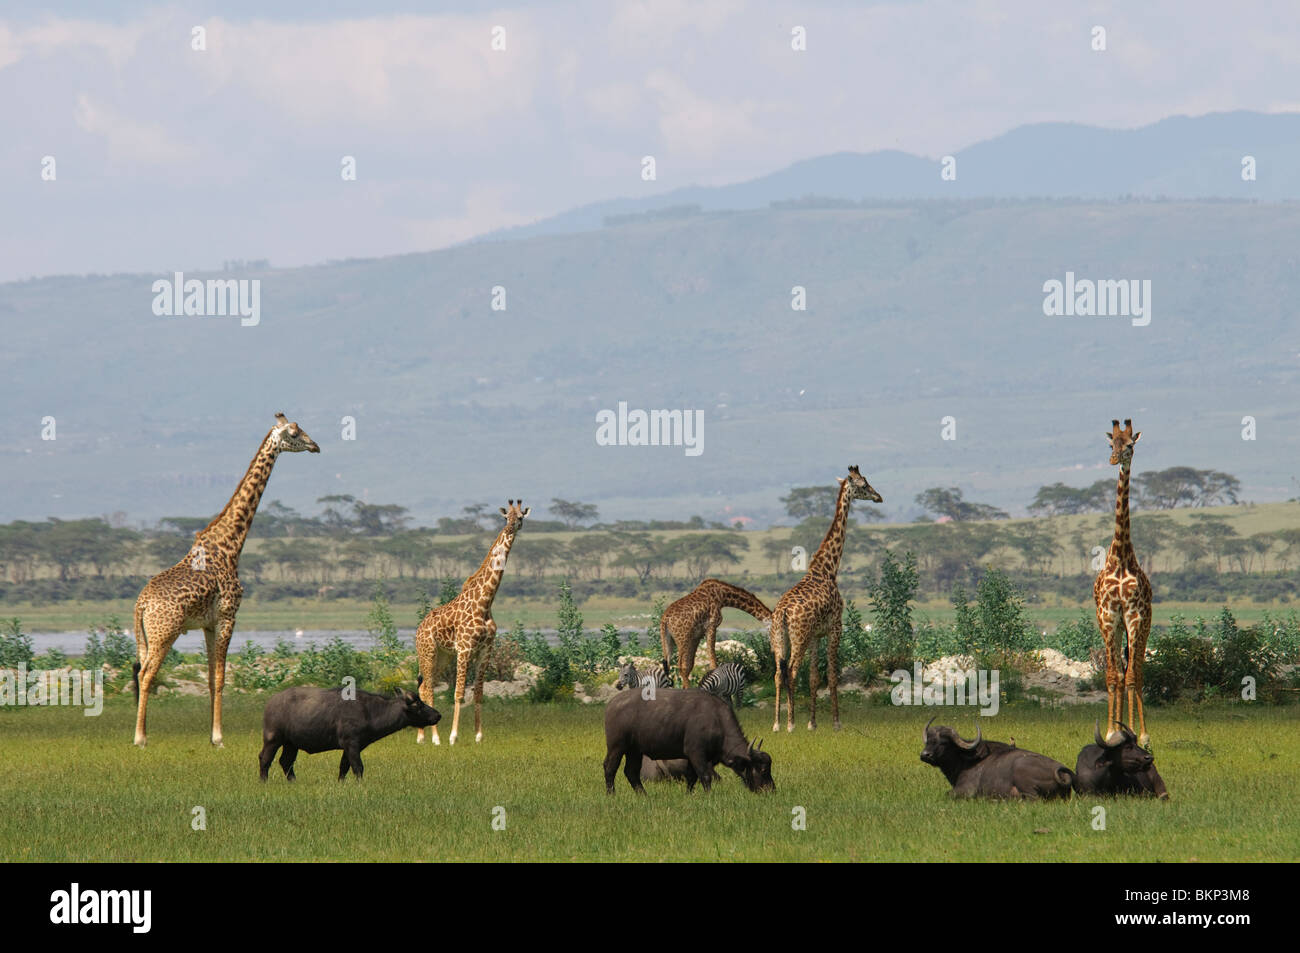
1123	595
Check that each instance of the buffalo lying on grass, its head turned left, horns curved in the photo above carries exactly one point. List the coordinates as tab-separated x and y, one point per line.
994	769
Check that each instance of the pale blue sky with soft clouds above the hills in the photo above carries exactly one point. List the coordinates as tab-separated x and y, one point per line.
172	159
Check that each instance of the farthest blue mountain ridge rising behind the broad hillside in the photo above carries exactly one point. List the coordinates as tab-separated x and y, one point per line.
1176	158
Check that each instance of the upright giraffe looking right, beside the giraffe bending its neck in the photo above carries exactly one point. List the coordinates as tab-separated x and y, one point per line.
813	609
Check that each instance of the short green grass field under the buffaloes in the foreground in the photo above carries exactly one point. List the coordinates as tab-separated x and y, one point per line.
73	789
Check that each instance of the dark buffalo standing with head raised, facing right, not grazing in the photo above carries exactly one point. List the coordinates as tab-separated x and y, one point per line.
322	720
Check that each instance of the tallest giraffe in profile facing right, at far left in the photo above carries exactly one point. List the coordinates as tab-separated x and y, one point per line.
203	590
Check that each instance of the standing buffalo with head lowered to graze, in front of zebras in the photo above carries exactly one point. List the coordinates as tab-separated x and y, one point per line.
681	724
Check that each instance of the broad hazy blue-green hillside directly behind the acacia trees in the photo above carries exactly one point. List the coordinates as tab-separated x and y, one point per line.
916	313
